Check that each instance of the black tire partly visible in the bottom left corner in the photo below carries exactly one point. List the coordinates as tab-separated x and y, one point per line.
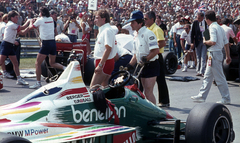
8	138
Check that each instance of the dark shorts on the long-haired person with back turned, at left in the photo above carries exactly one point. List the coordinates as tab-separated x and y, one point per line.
48	47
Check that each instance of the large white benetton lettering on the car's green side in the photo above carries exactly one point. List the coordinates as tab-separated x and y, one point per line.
89	115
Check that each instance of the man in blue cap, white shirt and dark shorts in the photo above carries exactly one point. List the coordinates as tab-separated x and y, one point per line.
146	51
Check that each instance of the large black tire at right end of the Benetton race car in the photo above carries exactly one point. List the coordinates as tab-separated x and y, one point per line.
209	123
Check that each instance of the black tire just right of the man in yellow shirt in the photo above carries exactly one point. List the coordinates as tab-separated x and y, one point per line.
170	62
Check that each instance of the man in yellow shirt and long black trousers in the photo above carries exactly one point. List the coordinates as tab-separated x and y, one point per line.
149	18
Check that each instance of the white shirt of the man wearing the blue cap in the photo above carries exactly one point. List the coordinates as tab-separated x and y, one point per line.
144	42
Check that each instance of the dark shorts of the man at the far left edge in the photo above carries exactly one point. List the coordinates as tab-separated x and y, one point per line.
7	49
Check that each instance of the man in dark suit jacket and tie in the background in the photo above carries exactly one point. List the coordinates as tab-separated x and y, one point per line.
198	28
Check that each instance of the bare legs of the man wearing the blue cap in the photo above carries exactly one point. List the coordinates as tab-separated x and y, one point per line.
148	85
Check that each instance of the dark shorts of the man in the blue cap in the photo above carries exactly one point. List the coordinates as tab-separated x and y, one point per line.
151	69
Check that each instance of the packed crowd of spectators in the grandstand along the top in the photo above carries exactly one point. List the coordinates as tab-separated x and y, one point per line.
120	9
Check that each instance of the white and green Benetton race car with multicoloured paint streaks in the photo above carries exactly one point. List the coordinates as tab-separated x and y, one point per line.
67	111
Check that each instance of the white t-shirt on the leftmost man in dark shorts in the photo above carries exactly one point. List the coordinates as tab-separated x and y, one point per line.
10	32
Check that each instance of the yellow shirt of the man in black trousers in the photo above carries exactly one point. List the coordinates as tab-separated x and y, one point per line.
159	34
